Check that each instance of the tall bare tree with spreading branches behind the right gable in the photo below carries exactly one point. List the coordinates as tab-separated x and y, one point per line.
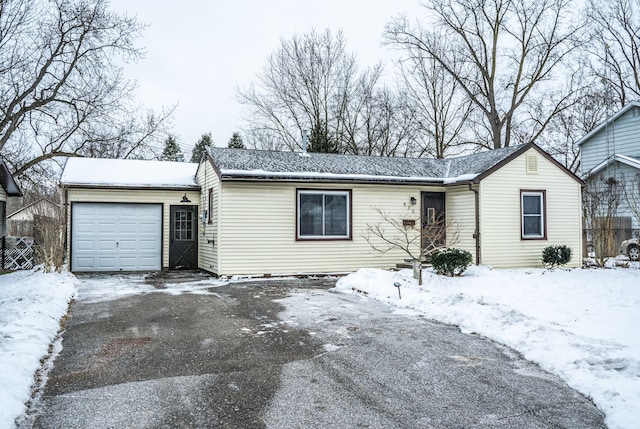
503	54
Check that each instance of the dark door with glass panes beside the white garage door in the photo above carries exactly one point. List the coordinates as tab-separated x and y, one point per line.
183	241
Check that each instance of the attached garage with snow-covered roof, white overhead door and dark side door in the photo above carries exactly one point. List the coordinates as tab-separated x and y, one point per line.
130	215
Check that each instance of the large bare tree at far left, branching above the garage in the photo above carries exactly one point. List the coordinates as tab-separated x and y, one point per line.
62	92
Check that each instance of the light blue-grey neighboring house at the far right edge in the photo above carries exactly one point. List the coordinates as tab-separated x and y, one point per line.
610	154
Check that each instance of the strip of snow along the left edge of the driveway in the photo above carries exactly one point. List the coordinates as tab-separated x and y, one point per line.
31	306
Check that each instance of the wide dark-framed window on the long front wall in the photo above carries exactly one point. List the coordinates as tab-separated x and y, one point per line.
323	214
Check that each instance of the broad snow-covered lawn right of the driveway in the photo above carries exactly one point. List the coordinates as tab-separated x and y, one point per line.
580	324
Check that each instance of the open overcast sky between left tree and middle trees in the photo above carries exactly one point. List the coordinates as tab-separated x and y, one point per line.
199	51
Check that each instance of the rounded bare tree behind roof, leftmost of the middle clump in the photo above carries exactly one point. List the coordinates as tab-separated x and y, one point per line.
305	85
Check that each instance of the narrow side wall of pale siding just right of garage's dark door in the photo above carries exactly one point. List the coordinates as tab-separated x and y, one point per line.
208	237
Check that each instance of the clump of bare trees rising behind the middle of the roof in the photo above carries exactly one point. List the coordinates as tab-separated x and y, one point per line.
313	83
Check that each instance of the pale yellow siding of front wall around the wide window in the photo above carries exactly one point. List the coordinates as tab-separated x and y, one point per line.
259	233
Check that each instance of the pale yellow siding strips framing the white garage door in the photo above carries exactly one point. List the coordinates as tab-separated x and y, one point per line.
166	198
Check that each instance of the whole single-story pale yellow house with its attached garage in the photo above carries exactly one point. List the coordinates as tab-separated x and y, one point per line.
262	212
